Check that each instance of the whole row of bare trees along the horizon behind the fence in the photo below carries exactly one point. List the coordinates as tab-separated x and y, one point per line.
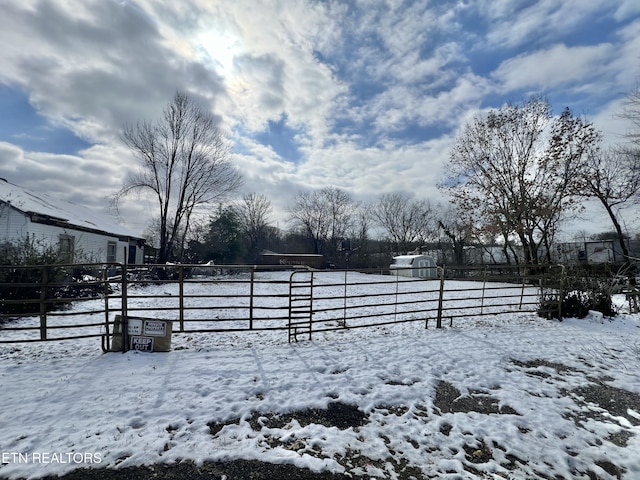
514	177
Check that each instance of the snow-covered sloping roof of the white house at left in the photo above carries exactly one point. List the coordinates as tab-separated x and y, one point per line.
60	211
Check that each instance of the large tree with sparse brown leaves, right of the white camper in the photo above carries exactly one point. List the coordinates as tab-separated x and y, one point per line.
517	167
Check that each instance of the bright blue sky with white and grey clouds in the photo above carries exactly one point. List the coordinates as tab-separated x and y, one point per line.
364	95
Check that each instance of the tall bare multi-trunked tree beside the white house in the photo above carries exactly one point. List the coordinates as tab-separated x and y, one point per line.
184	165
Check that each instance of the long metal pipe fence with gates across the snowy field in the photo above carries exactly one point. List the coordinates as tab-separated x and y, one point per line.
59	302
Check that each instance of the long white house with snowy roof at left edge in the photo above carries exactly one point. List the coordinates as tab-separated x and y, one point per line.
76	231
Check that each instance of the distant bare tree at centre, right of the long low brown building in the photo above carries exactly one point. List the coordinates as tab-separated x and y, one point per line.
325	216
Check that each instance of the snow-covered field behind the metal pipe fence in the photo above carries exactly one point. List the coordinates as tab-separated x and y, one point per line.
340	299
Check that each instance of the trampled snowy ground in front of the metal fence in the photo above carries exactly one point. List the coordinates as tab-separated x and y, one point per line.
505	396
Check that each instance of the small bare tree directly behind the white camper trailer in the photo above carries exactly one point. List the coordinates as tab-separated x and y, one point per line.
405	221
